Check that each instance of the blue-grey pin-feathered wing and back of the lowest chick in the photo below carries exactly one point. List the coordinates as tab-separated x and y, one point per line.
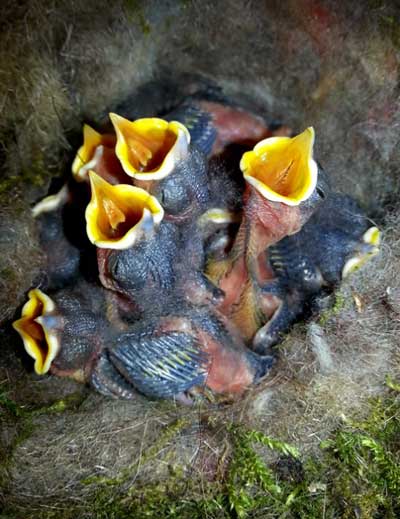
167	363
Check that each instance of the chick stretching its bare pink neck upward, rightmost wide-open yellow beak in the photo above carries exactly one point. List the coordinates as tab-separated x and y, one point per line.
283	190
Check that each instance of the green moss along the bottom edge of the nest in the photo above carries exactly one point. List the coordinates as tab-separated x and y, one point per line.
354	474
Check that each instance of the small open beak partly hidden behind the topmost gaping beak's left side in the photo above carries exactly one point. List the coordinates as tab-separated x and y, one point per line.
88	154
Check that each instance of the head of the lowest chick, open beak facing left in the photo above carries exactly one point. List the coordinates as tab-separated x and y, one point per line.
64	332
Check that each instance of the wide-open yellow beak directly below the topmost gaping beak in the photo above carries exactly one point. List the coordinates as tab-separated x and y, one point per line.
117	216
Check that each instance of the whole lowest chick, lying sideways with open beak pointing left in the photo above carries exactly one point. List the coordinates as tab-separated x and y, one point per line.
163	356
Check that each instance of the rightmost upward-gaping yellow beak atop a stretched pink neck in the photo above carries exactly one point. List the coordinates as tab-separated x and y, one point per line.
282	169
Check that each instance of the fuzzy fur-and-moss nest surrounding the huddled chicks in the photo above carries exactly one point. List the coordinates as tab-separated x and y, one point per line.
68	452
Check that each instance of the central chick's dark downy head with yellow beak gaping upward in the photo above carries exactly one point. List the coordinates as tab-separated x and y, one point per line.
140	255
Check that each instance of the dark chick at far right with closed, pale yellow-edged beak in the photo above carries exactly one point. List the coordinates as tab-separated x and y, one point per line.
336	241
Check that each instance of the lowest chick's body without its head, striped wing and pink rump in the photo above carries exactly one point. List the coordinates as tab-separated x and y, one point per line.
169	355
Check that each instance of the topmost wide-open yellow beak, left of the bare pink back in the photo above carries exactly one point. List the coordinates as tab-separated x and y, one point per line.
149	148
